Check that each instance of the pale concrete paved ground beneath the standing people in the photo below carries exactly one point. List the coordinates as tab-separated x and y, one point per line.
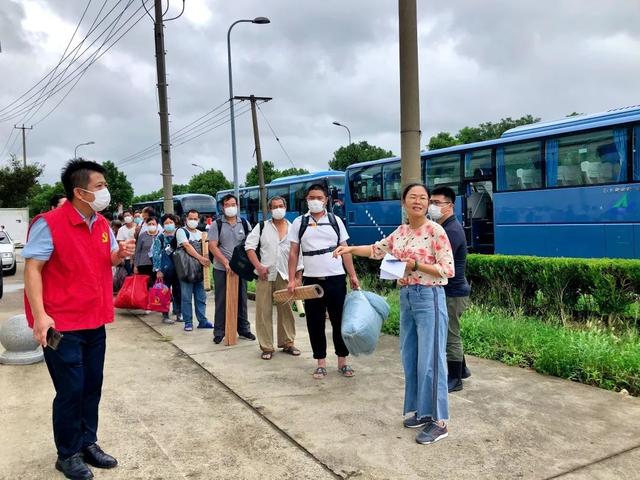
177	406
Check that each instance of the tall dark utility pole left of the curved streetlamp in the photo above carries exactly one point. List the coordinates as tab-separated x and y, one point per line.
165	146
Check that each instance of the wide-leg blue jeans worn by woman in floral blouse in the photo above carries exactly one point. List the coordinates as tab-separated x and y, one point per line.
423	348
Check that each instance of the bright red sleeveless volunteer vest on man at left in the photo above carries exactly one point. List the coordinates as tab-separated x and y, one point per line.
77	283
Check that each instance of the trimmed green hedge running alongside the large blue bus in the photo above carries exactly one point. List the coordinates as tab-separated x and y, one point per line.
564	288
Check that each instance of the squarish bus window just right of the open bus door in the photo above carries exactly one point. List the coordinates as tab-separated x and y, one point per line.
519	166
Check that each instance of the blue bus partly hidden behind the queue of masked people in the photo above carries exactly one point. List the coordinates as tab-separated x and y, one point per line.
294	190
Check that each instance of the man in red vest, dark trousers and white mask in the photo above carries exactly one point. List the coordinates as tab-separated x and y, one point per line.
68	287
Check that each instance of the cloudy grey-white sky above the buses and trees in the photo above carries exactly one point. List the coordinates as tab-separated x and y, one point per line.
321	62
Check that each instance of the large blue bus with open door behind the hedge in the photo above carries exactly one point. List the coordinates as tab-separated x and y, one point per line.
569	188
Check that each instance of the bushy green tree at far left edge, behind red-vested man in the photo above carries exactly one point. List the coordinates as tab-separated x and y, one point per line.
18	183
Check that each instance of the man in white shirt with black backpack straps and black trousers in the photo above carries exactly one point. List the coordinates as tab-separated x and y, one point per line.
314	236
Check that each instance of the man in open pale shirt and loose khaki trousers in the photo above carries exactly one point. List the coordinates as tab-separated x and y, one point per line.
273	274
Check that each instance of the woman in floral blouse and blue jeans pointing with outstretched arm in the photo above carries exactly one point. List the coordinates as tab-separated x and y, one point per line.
424	247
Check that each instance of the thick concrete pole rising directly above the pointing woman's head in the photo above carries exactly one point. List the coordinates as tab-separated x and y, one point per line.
409	93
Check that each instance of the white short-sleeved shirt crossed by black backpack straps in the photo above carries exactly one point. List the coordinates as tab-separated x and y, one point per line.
318	236
